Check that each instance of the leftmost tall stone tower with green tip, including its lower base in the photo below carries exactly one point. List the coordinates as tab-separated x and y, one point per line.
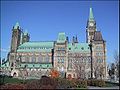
15	42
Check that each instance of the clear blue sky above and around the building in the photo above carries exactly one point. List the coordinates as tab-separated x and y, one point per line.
45	19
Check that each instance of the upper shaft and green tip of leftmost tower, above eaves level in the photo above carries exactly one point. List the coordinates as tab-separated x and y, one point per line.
16	34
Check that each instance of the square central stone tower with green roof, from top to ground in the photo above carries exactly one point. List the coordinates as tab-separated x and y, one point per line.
60	54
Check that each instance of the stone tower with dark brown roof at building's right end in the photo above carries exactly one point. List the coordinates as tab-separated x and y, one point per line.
99	55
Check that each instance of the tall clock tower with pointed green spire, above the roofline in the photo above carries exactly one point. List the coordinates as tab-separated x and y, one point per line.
91	27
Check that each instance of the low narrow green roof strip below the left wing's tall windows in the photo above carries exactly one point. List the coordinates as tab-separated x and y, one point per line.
48	65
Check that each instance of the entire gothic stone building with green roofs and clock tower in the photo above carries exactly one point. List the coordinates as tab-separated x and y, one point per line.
69	58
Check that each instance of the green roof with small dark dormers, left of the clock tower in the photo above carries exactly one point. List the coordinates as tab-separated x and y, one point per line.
78	47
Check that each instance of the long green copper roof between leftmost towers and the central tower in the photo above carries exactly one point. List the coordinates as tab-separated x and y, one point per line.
42	46
